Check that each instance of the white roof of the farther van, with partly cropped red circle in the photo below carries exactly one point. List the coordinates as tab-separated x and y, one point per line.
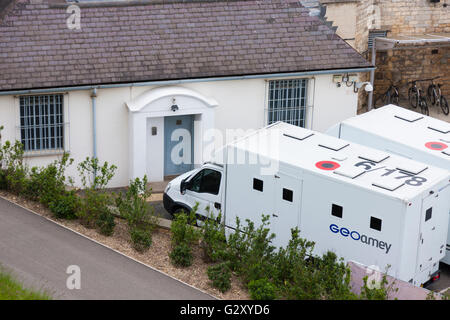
423	133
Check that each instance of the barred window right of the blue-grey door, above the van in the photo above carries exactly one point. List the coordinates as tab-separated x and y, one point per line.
287	101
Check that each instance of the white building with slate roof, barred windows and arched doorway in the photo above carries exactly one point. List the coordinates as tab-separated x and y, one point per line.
119	84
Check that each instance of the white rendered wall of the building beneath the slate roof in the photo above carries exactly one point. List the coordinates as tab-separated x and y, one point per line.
241	105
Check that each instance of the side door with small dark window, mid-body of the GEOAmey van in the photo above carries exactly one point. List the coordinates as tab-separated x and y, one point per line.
288	191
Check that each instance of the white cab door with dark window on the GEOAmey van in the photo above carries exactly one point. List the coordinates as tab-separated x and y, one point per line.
205	188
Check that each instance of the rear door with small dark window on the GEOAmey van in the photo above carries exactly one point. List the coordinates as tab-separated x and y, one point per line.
428	242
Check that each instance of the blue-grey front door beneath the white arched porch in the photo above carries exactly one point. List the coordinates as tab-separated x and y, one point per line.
178	144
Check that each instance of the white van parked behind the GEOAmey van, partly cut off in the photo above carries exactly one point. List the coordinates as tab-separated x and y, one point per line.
404	132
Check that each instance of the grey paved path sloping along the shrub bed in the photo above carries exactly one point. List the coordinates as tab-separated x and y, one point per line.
39	251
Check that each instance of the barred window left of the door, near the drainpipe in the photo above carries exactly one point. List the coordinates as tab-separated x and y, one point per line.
42	122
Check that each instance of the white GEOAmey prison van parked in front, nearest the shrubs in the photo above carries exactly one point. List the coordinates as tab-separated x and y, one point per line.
365	205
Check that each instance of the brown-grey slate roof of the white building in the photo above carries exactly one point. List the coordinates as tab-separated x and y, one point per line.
163	40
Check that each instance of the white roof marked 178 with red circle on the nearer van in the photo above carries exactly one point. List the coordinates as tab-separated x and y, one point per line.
341	160
